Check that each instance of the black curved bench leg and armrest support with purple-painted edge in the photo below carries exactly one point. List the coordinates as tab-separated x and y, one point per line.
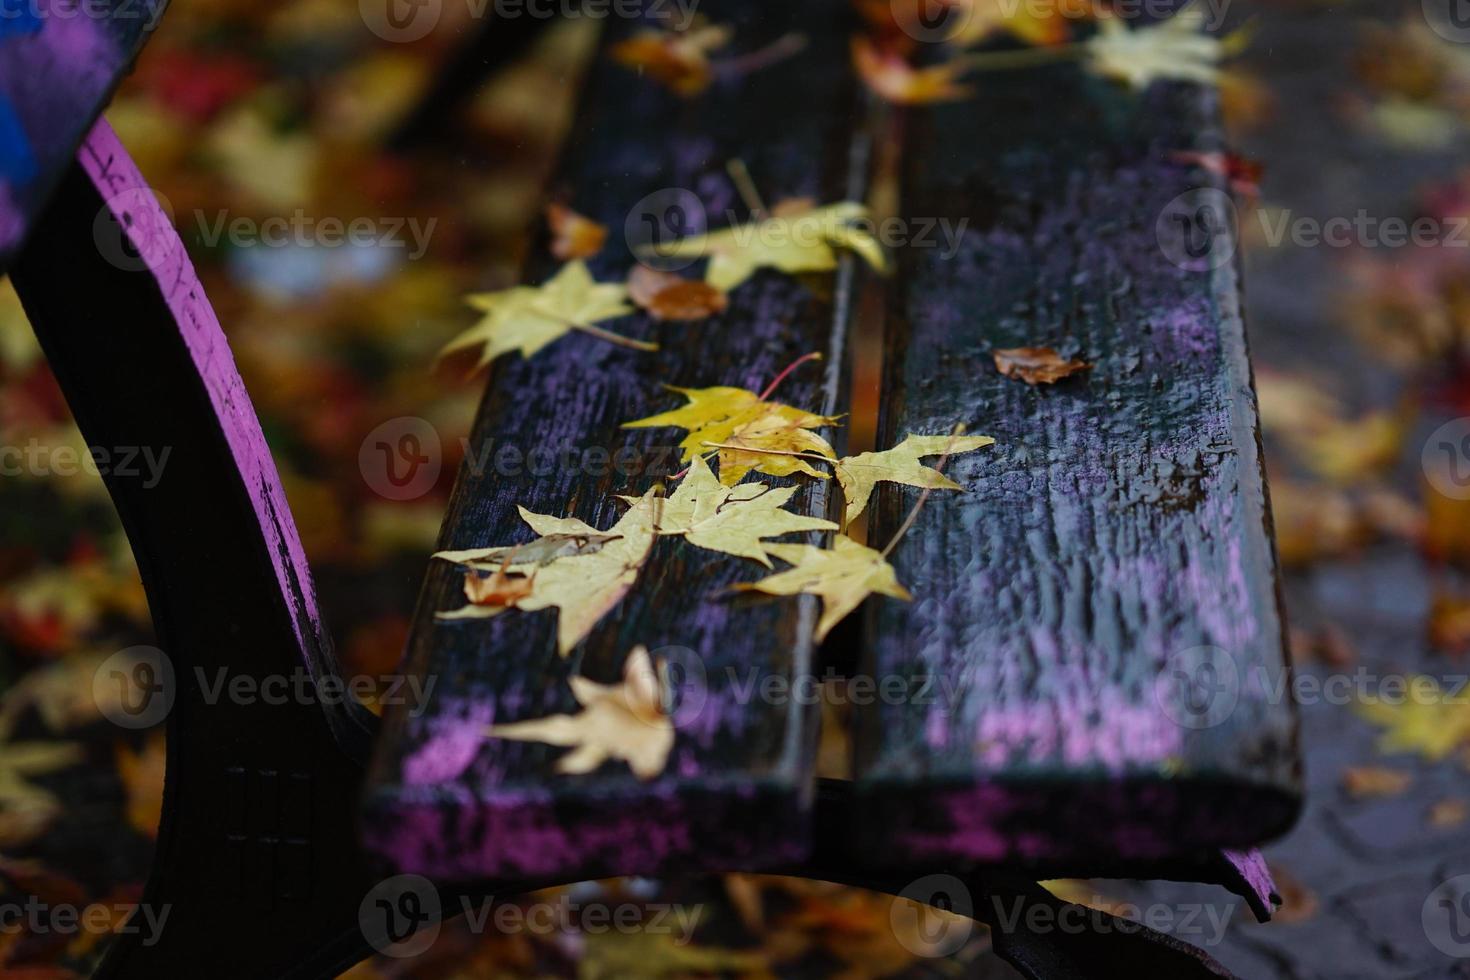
258	871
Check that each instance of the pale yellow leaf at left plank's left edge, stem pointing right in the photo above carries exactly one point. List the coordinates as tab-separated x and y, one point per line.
530	318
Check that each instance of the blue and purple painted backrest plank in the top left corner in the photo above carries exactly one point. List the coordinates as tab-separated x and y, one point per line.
60	64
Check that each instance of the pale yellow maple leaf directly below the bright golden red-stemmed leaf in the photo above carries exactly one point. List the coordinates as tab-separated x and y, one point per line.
731	519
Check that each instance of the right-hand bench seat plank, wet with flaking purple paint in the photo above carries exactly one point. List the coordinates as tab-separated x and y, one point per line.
1116	536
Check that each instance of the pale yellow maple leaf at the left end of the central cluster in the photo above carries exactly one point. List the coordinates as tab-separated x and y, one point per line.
586	586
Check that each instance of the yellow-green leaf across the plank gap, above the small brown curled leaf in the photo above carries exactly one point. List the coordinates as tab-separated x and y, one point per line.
789	243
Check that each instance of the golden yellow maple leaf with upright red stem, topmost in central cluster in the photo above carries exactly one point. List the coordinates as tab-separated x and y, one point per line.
736	419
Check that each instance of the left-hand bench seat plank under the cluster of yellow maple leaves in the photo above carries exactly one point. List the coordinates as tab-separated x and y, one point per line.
448	801
